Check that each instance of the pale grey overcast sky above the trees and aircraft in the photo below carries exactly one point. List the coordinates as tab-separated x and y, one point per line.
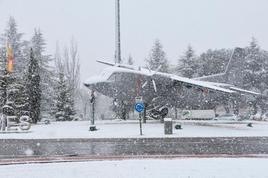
202	23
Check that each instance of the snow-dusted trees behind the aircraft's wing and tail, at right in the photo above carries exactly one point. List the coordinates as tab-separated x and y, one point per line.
253	70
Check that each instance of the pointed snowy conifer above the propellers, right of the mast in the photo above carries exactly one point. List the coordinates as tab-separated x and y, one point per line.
158	58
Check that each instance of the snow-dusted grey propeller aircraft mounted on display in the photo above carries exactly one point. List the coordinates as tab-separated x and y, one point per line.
161	91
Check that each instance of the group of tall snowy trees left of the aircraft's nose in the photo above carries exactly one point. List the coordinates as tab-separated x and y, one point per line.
37	87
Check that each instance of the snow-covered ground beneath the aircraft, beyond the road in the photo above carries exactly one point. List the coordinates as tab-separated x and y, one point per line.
130	129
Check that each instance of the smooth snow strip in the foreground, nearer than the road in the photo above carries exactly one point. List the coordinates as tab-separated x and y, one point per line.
150	168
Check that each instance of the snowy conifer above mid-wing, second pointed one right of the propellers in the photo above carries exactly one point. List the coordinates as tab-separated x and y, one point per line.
187	63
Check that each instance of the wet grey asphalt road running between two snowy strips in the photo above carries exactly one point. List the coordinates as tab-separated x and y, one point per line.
16	148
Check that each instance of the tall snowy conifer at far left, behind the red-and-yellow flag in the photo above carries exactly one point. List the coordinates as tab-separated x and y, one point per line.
13	93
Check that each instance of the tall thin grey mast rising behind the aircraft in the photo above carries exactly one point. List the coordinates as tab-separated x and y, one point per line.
117	32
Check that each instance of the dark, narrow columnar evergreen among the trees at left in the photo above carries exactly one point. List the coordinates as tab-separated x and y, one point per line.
33	88
